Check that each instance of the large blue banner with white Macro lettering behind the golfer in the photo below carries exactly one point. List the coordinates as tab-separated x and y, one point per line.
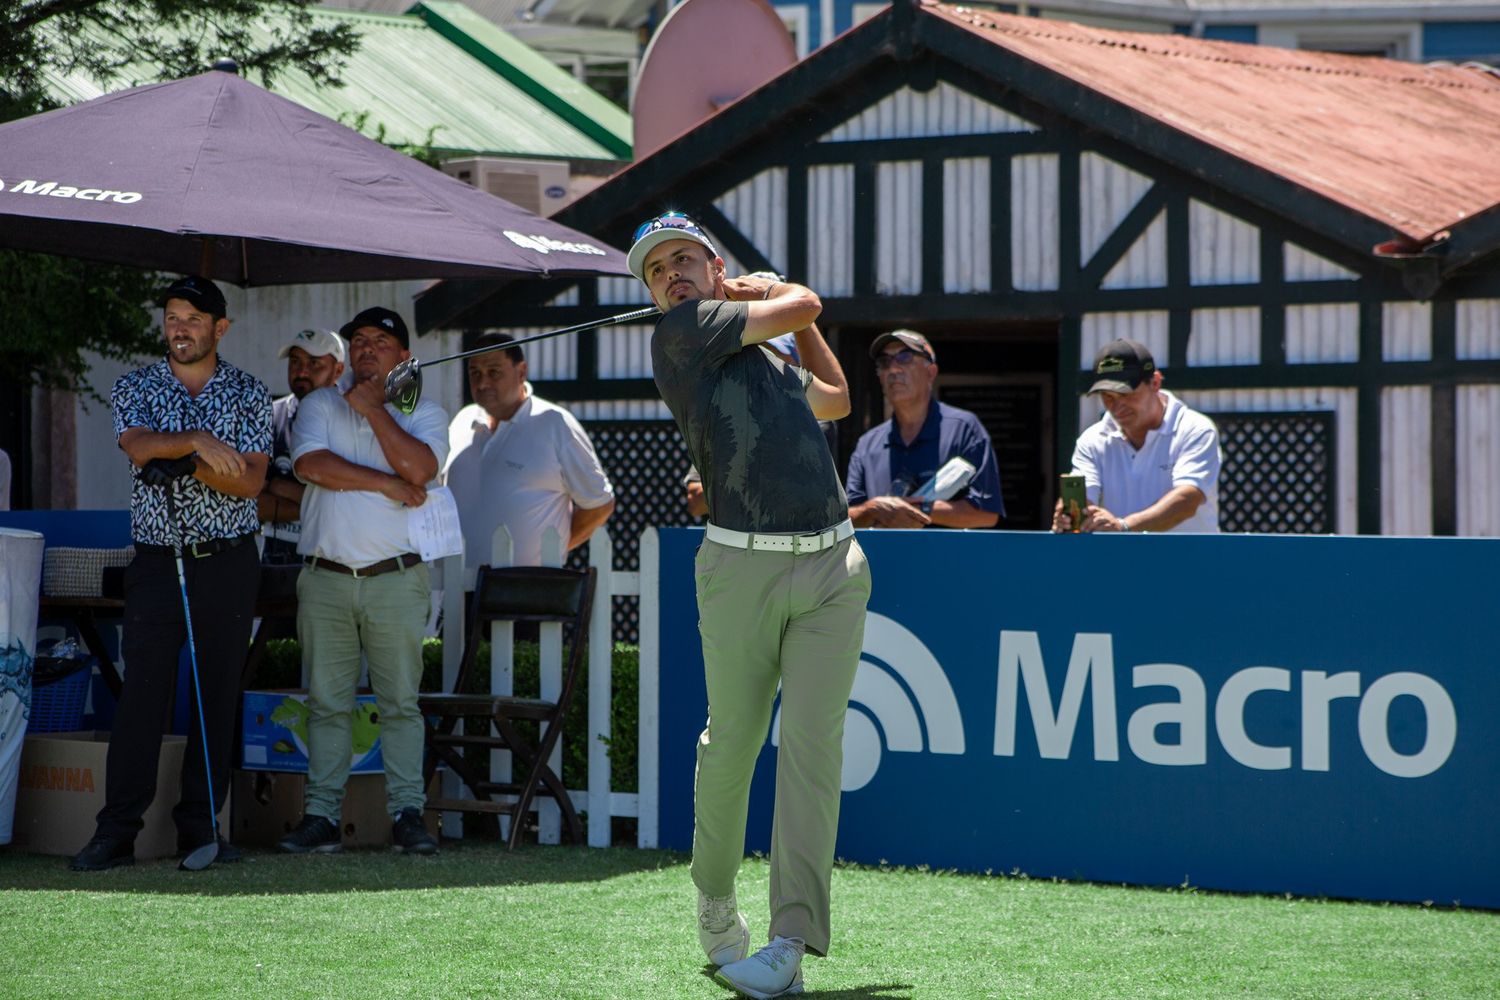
1256	713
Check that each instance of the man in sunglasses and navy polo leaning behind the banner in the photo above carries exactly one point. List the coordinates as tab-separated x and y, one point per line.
904	454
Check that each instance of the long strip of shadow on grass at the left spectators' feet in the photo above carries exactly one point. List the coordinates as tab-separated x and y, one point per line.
470	864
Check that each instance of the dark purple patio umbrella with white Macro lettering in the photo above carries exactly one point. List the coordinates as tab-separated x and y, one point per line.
221	178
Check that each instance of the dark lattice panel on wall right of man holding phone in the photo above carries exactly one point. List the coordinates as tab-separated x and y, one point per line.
1279	473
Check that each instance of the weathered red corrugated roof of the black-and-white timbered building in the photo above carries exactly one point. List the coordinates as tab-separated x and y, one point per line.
1415	148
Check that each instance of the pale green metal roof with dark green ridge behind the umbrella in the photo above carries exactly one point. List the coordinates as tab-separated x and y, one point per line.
485	92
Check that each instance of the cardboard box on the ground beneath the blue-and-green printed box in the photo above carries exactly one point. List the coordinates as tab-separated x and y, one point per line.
268	806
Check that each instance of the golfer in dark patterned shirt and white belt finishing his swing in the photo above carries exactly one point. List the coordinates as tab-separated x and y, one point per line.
782	585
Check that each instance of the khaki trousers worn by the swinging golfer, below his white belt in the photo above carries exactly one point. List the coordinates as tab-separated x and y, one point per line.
773	618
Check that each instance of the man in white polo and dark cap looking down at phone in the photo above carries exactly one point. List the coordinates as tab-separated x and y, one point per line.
1150	464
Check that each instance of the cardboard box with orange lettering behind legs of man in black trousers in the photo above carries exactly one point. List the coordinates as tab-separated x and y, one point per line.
62	791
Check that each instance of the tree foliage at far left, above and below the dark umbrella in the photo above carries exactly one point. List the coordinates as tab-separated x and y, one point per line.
55	310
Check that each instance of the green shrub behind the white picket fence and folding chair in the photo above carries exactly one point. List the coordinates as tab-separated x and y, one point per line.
281	668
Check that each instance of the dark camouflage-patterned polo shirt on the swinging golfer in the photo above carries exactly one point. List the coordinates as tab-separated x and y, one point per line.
745	416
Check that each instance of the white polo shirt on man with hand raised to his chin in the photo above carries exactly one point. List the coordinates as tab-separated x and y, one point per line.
356	527
